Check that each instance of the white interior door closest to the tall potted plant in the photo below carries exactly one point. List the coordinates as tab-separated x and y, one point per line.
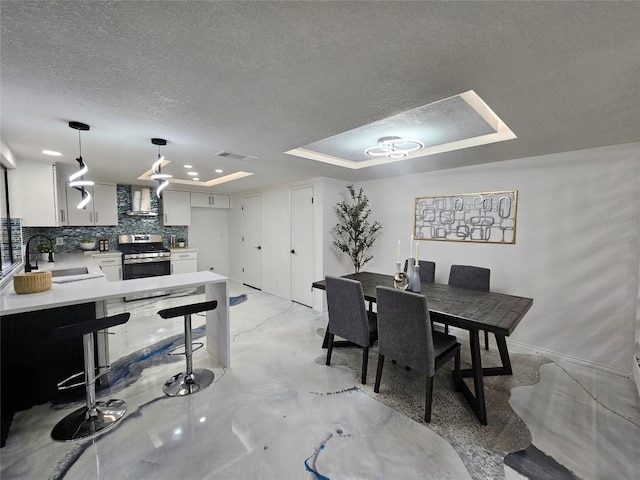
302	253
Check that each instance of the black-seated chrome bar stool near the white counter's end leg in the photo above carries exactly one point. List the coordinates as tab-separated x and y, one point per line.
191	381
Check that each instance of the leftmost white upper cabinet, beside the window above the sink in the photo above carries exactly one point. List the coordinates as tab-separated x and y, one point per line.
37	196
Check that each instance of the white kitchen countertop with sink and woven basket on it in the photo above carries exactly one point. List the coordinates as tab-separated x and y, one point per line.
93	289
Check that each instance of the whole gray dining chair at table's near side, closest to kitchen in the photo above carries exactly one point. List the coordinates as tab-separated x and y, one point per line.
348	317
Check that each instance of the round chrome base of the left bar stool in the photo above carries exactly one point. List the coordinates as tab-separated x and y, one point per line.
76	425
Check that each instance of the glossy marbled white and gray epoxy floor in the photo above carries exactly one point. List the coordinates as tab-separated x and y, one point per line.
280	413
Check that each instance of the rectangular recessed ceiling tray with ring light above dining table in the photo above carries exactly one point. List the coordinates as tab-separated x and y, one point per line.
454	123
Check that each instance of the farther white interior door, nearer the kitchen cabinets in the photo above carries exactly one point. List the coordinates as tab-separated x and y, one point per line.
252	241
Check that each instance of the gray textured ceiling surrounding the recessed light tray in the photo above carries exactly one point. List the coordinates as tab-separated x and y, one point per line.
263	78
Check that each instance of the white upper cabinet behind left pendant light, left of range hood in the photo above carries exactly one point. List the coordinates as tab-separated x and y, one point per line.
101	210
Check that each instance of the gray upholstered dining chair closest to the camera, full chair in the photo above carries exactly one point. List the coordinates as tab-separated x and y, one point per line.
405	335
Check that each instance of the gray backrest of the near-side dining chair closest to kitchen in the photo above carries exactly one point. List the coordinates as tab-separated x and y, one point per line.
347	313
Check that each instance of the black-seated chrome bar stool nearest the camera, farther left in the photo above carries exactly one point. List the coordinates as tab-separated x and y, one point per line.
94	417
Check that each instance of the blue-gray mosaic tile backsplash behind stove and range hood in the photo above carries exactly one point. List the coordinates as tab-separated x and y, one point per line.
126	225
